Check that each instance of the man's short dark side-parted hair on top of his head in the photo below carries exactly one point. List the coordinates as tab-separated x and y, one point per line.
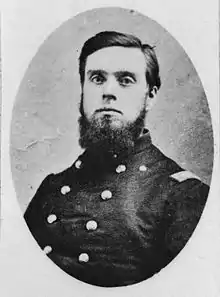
112	38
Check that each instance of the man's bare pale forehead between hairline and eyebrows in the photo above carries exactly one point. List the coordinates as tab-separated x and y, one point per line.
117	58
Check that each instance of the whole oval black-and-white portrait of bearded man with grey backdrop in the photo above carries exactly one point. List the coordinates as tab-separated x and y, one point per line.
111	147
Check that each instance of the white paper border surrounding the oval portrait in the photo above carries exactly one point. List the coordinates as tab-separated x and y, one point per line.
23	269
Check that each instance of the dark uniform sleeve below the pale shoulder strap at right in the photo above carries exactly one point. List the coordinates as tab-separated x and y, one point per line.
183	211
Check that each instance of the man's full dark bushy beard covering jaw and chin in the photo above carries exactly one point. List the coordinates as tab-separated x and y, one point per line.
101	134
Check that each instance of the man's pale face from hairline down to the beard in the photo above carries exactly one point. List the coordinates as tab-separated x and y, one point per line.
115	85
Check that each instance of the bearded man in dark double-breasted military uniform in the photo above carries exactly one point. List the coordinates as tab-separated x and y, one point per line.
123	210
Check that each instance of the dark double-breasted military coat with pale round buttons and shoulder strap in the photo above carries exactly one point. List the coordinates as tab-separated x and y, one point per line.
114	220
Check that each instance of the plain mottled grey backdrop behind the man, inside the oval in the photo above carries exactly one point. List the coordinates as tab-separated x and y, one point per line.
44	129
